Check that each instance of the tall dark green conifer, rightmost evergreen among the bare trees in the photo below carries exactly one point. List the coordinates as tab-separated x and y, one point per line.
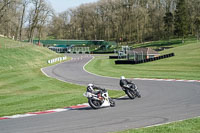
181	19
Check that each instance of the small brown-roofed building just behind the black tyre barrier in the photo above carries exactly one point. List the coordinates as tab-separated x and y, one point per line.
141	54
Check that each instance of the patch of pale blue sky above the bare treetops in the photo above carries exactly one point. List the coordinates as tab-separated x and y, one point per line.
63	5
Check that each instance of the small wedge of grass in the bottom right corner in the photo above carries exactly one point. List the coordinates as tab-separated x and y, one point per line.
187	126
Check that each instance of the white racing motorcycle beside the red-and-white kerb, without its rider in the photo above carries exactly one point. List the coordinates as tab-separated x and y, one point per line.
99	100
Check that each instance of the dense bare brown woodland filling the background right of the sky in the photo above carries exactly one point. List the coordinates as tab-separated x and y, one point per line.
123	20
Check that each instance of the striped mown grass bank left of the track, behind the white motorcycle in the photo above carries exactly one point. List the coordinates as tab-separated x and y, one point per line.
23	87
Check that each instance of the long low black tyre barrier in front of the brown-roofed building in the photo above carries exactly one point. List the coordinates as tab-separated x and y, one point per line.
145	60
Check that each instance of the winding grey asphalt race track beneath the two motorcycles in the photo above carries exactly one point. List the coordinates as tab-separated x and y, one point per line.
161	102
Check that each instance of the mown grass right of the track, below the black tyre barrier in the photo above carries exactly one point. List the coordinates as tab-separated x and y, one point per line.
184	65
